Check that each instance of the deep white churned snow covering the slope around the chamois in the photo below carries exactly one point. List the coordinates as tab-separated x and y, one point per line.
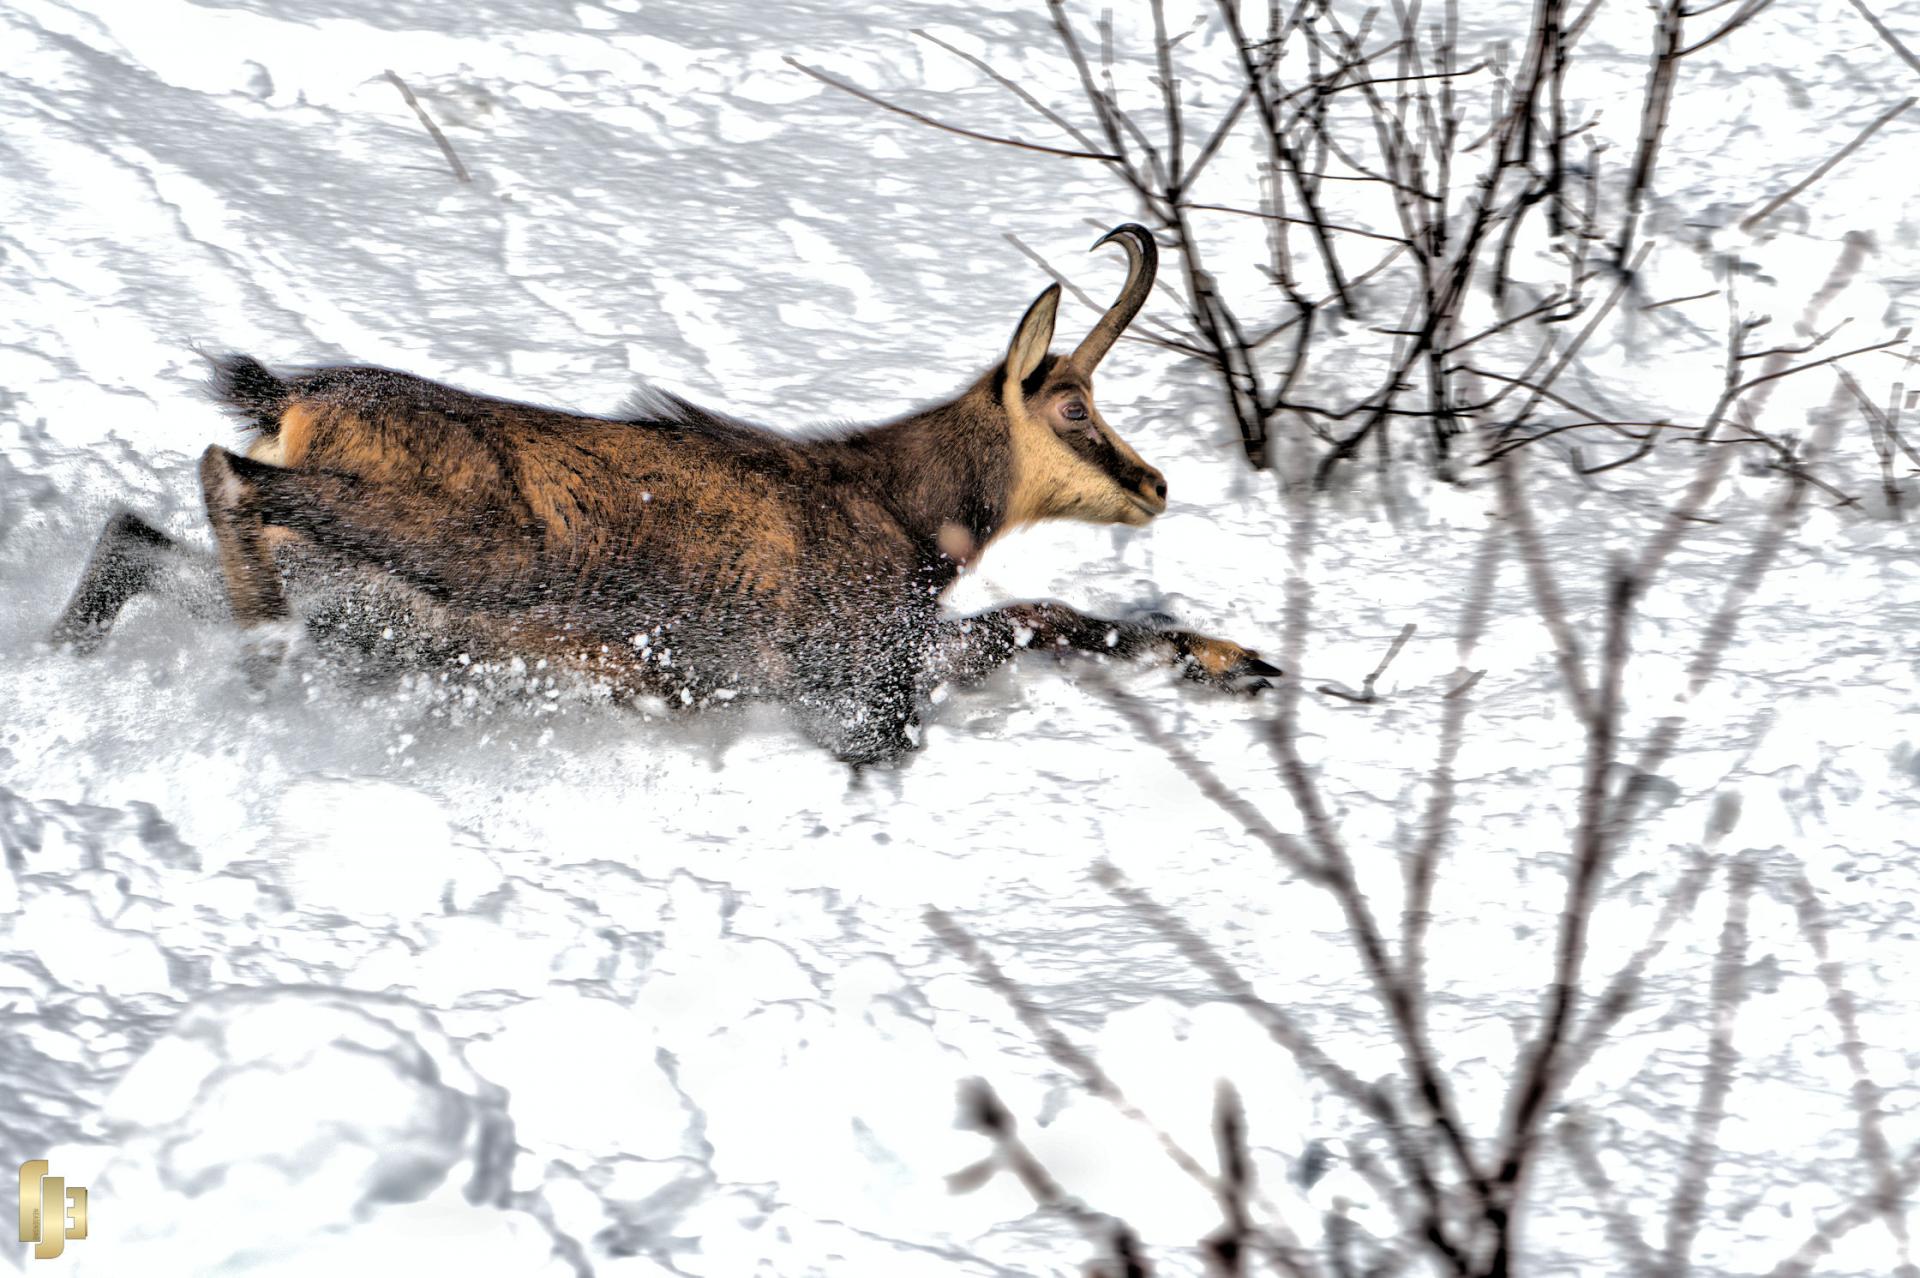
483	978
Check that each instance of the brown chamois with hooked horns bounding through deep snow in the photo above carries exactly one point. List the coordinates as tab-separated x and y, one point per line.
673	552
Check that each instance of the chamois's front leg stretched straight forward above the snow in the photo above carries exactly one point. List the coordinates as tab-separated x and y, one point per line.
976	646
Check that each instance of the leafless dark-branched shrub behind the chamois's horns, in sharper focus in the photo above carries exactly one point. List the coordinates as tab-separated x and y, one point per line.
1449	222
